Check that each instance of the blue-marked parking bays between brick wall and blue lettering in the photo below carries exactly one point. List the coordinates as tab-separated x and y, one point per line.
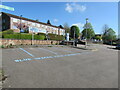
30	54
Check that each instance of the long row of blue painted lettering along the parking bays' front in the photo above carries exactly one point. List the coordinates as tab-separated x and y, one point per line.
40	58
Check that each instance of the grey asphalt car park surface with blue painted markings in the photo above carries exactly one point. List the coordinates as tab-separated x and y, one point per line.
60	67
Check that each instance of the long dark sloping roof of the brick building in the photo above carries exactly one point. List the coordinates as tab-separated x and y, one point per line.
11	15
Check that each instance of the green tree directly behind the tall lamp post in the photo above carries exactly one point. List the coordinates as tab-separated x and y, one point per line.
88	31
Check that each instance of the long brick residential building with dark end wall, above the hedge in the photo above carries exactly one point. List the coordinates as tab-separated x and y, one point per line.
21	24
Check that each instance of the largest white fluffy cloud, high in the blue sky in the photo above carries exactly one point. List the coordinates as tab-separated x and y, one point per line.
75	7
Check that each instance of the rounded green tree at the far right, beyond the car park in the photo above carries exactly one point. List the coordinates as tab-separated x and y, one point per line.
109	35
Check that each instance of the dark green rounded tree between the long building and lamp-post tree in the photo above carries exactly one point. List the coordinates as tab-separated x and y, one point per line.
76	30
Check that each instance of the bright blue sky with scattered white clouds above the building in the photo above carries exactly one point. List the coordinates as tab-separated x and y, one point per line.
99	13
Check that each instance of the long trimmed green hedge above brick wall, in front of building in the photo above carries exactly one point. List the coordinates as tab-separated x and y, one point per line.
10	34
